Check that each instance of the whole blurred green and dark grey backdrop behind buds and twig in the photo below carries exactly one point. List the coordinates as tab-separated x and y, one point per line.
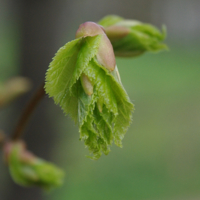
160	159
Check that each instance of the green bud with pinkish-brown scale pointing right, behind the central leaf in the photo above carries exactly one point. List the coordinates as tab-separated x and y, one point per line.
132	38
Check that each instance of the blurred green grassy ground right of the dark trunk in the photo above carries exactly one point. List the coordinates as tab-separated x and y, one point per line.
160	155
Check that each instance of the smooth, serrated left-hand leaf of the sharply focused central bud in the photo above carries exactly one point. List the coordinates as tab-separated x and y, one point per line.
65	69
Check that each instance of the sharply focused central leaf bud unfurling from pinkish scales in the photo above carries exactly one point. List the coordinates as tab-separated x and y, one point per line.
84	80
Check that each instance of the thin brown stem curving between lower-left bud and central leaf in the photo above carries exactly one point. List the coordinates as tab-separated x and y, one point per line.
32	104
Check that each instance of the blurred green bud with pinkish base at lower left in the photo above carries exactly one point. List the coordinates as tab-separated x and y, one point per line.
29	170
